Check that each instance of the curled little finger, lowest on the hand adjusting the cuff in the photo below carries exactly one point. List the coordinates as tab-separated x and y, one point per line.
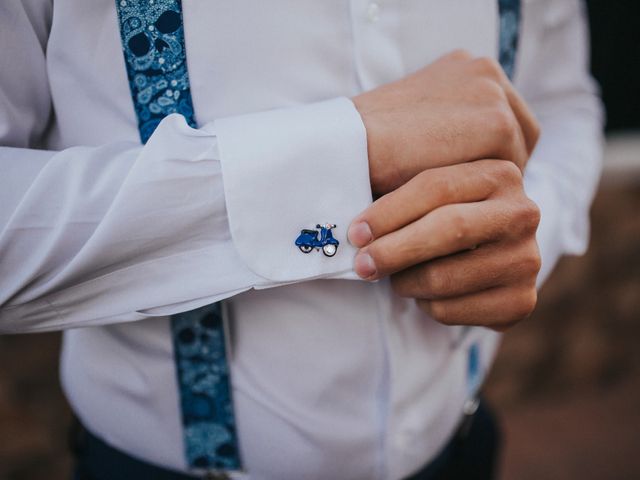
497	308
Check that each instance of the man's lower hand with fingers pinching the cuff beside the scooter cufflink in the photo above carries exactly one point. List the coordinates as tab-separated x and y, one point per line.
460	239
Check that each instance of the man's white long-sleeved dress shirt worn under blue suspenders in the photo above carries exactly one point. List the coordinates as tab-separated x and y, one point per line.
332	377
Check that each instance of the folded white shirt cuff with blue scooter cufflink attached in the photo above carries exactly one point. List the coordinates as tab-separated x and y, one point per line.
290	170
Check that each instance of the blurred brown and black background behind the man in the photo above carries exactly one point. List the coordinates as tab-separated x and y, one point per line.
566	382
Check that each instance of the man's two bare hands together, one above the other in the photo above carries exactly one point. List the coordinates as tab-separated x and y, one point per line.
454	231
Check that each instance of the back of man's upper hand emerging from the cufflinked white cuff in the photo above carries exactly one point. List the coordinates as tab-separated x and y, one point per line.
458	109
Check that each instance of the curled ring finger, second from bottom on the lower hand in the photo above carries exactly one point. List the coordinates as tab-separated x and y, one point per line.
488	266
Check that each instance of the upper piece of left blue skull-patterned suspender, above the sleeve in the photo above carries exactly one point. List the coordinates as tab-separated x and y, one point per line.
153	44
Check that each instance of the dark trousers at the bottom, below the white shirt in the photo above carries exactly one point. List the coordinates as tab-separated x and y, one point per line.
470	455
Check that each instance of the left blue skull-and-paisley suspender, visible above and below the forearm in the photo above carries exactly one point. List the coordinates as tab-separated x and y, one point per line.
154	51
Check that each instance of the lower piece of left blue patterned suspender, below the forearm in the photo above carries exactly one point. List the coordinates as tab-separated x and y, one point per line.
205	393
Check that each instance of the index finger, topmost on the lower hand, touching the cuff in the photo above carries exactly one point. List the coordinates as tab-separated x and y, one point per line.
463	183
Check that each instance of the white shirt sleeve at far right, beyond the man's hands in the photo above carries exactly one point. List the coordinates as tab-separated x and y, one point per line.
564	170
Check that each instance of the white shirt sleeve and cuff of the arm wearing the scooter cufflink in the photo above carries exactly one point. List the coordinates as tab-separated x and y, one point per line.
118	232
